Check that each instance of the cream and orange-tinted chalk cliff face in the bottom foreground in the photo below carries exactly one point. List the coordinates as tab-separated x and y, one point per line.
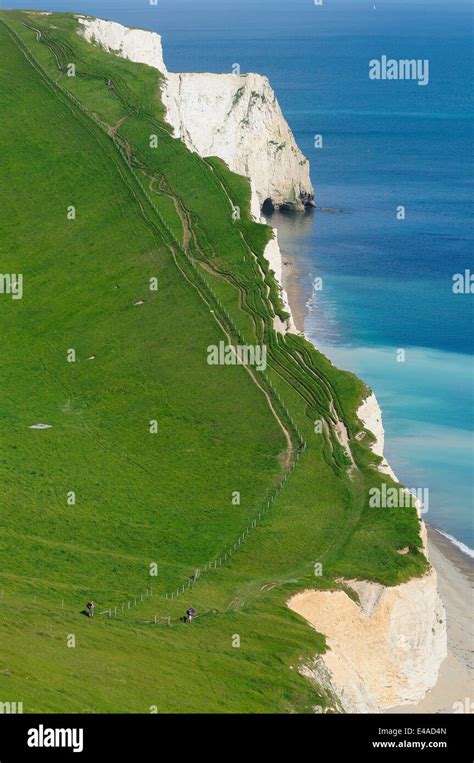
384	651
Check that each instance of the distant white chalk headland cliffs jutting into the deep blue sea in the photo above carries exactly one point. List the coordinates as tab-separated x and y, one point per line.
234	117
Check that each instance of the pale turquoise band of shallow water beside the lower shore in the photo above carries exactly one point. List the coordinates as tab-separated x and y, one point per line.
427	443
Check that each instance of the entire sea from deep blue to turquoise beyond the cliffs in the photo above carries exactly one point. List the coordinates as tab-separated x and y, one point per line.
387	283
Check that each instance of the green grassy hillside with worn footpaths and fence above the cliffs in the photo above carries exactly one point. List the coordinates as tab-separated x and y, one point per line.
164	498
